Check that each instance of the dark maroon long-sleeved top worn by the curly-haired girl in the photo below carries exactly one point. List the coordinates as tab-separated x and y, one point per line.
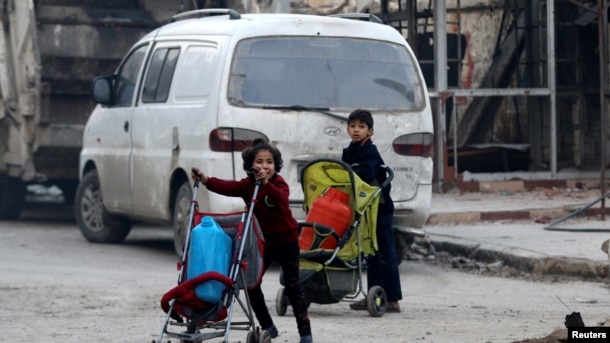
272	208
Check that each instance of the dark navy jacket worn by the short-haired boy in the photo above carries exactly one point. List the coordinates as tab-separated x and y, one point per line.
369	161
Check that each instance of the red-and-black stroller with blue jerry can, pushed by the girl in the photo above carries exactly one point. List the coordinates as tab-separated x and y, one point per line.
200	319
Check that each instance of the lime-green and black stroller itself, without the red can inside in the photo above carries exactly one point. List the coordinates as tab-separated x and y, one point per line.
333	261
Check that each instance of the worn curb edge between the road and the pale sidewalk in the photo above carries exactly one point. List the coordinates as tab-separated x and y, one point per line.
575	267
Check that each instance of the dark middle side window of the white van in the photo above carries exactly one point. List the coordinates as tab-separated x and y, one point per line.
159	75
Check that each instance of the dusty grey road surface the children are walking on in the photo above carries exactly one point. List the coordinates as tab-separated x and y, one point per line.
57	287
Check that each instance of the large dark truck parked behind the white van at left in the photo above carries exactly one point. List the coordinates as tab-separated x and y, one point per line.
50	50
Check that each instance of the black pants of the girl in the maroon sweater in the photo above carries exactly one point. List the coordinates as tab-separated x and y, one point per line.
288	258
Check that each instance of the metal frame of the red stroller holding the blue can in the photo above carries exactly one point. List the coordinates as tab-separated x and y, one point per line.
230	297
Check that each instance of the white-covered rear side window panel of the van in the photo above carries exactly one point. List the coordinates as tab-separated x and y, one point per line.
196	72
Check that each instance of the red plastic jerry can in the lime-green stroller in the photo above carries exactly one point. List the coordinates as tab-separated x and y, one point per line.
330	209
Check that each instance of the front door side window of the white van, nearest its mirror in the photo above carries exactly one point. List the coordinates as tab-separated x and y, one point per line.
127	78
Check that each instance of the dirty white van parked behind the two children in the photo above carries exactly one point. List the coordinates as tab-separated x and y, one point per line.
198	90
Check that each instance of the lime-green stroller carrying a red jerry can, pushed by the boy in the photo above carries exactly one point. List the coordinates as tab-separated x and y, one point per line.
334	245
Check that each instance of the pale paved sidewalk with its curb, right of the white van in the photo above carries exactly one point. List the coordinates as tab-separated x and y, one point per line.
513	227
